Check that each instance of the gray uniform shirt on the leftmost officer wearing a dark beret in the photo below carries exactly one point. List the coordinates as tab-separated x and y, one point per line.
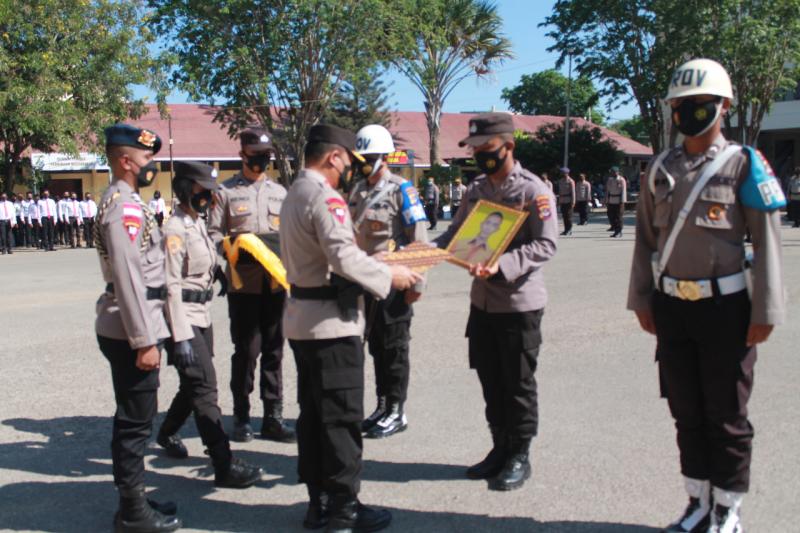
131	253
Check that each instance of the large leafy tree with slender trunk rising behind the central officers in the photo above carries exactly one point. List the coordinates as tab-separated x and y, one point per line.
279	63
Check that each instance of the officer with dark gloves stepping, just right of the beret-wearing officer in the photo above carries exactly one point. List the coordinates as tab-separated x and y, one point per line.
191	264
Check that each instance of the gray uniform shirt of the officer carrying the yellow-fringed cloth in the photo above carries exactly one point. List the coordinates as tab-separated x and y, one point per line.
244	206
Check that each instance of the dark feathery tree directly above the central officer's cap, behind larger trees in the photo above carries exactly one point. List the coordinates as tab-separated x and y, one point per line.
361	100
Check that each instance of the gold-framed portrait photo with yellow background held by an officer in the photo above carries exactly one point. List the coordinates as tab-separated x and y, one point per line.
485	234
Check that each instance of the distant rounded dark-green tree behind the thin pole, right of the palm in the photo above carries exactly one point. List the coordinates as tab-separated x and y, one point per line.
545	93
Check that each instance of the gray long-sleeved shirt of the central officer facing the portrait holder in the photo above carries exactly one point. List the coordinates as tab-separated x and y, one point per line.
317	238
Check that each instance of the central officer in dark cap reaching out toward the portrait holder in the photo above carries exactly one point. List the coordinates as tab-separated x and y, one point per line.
324	322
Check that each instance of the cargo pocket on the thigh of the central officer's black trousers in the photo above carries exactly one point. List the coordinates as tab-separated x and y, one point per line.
342	395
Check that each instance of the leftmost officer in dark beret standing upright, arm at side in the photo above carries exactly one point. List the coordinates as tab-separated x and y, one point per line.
130	321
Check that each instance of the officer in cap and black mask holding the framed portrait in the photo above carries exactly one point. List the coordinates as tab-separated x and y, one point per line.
507	300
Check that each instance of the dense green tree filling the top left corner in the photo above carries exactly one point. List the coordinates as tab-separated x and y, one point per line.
66	70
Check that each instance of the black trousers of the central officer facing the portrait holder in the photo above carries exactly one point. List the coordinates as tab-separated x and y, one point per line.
330	390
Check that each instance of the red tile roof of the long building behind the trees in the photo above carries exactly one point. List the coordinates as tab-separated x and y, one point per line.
197	137
